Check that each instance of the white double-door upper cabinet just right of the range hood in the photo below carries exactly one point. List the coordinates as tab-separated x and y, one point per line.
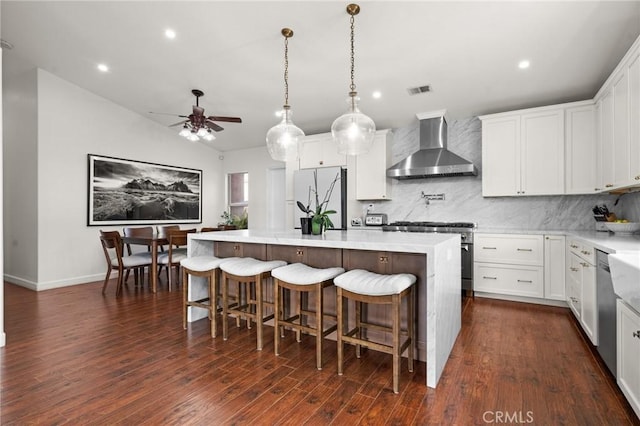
523	152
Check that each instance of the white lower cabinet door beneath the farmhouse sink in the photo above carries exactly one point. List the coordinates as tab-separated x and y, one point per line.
628	348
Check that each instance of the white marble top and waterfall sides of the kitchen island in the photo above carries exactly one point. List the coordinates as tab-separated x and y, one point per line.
439	292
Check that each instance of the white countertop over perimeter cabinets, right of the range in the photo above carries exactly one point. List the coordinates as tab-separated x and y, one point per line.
605	241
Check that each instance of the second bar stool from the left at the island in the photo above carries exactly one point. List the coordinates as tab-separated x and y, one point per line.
246	271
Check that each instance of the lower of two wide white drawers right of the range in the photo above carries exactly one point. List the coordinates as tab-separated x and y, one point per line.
509	279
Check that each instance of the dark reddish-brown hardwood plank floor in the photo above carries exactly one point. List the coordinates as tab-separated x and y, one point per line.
76	357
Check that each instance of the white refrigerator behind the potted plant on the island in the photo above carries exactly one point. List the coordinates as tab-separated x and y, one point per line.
303	180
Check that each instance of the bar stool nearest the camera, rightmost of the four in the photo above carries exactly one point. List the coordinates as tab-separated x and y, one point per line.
368	287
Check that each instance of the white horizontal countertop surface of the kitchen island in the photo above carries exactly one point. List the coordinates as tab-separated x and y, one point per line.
408	242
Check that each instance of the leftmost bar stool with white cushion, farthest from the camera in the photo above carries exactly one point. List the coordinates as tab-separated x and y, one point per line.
206	267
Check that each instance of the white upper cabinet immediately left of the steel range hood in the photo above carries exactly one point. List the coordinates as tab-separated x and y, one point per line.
372	182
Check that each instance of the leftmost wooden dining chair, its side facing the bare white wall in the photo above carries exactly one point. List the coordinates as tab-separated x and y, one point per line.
113	251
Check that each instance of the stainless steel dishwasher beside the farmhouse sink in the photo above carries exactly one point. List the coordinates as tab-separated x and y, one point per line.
606	312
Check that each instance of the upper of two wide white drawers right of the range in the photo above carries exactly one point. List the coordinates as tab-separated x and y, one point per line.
510	249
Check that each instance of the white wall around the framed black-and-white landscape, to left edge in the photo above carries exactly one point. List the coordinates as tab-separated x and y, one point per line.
72	123
